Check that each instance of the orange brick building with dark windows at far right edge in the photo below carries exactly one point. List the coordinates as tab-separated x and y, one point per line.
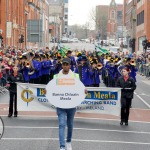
143	23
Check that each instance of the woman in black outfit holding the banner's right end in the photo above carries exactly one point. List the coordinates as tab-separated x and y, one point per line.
128	86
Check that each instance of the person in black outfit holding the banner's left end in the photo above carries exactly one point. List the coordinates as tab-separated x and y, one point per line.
12	79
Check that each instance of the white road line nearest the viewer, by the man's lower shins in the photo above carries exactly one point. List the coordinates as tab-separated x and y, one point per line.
78	140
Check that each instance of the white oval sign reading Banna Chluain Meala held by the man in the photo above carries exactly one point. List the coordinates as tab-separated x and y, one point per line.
64	92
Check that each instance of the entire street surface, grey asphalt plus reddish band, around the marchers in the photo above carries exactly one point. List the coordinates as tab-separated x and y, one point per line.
39	130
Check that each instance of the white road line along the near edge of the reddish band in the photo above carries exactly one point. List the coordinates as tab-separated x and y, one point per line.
83	118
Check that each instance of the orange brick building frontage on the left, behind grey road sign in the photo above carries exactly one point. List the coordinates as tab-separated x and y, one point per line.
14	15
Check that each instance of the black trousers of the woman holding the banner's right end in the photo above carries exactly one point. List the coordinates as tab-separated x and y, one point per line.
125	110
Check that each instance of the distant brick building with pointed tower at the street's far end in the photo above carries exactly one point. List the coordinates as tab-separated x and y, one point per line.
108	19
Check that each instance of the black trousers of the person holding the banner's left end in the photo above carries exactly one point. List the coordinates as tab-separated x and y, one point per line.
13	100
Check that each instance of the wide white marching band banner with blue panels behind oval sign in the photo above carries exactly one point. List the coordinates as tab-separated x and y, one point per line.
31	97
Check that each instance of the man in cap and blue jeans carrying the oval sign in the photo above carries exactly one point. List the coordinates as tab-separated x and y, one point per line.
66	113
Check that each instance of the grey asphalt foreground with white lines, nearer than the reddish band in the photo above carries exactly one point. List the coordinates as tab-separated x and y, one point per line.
30	133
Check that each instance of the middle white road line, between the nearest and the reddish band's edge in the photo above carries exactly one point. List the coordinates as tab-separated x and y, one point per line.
85	129
